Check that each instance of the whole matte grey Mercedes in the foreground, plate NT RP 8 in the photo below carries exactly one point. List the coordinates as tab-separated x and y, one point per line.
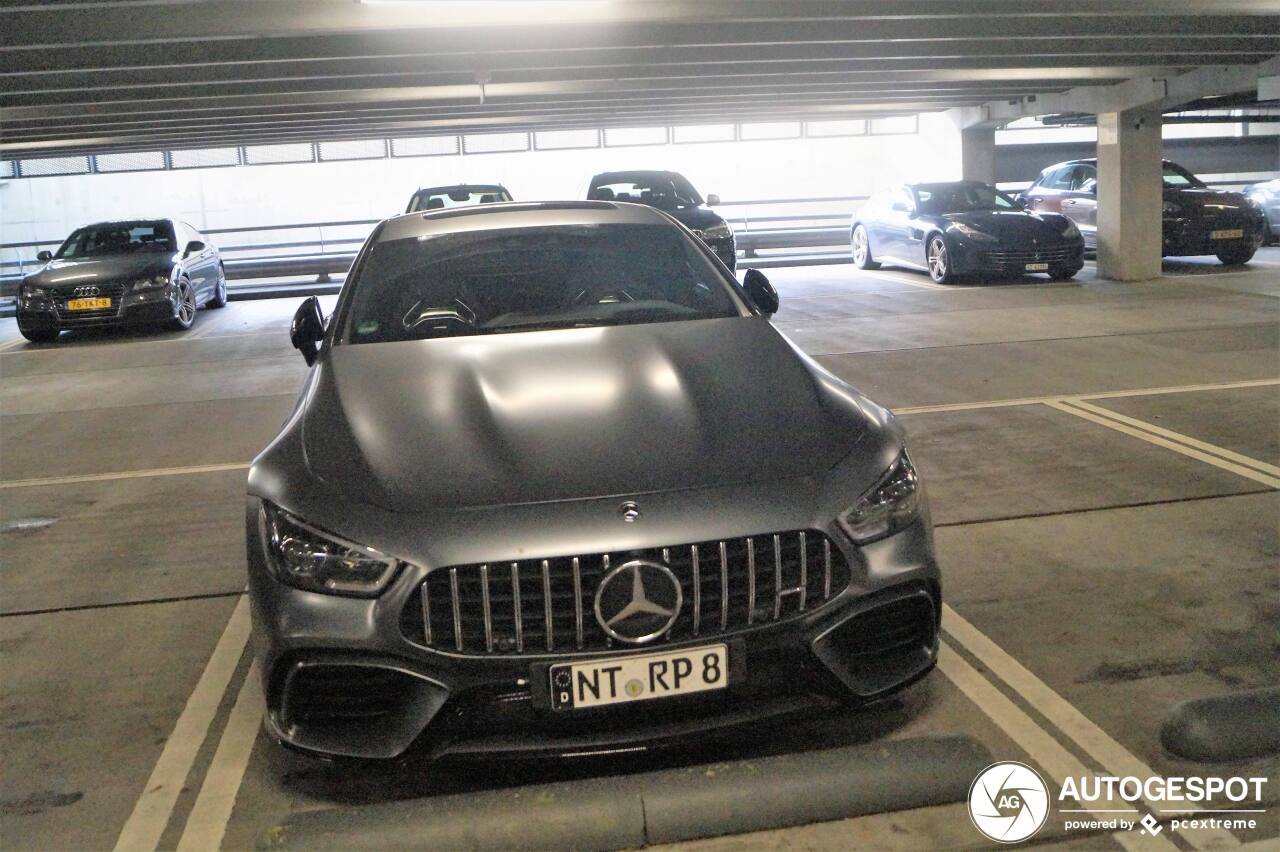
555	485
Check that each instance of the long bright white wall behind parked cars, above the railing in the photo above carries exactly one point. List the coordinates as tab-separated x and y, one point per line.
267	195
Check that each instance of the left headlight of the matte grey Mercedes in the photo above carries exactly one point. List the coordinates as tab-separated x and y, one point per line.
304	557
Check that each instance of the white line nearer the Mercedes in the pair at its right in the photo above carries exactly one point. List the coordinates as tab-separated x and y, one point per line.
1039	744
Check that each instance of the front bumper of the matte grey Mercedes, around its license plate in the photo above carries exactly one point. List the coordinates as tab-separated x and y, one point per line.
342	679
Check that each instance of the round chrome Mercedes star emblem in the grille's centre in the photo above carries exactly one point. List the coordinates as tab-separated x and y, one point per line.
638	602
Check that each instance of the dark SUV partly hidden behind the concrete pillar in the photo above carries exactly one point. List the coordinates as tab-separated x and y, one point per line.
1197	221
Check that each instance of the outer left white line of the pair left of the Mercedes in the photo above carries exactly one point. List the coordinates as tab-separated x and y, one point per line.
152	813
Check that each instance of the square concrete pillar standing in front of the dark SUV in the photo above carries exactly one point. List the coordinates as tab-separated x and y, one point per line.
1131	201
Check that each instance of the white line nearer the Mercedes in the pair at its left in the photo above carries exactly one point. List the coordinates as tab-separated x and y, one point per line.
213	810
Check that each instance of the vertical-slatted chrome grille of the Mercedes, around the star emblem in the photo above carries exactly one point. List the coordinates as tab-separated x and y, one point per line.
547	606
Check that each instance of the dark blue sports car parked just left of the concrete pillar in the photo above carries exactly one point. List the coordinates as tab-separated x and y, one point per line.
962	228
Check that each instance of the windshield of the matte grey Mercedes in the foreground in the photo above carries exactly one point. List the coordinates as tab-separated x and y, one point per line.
531	280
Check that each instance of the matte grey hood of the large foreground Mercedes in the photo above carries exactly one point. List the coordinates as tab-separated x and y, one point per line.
575	414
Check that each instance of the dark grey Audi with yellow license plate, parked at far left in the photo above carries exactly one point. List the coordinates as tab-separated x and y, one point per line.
122	273
